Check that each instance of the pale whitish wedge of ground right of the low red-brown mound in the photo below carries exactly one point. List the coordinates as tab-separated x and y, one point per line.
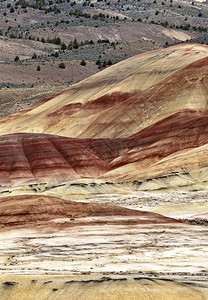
184	205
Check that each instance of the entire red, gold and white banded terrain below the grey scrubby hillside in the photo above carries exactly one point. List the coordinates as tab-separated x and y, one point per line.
138	125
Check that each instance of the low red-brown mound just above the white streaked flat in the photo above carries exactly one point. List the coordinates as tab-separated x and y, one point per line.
30	210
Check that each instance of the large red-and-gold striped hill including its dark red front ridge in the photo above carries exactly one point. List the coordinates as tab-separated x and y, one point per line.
144	119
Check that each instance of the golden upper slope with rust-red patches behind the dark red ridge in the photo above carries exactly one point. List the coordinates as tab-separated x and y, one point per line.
144	86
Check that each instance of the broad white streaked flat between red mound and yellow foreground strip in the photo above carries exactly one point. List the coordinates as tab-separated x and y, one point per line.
176	251
